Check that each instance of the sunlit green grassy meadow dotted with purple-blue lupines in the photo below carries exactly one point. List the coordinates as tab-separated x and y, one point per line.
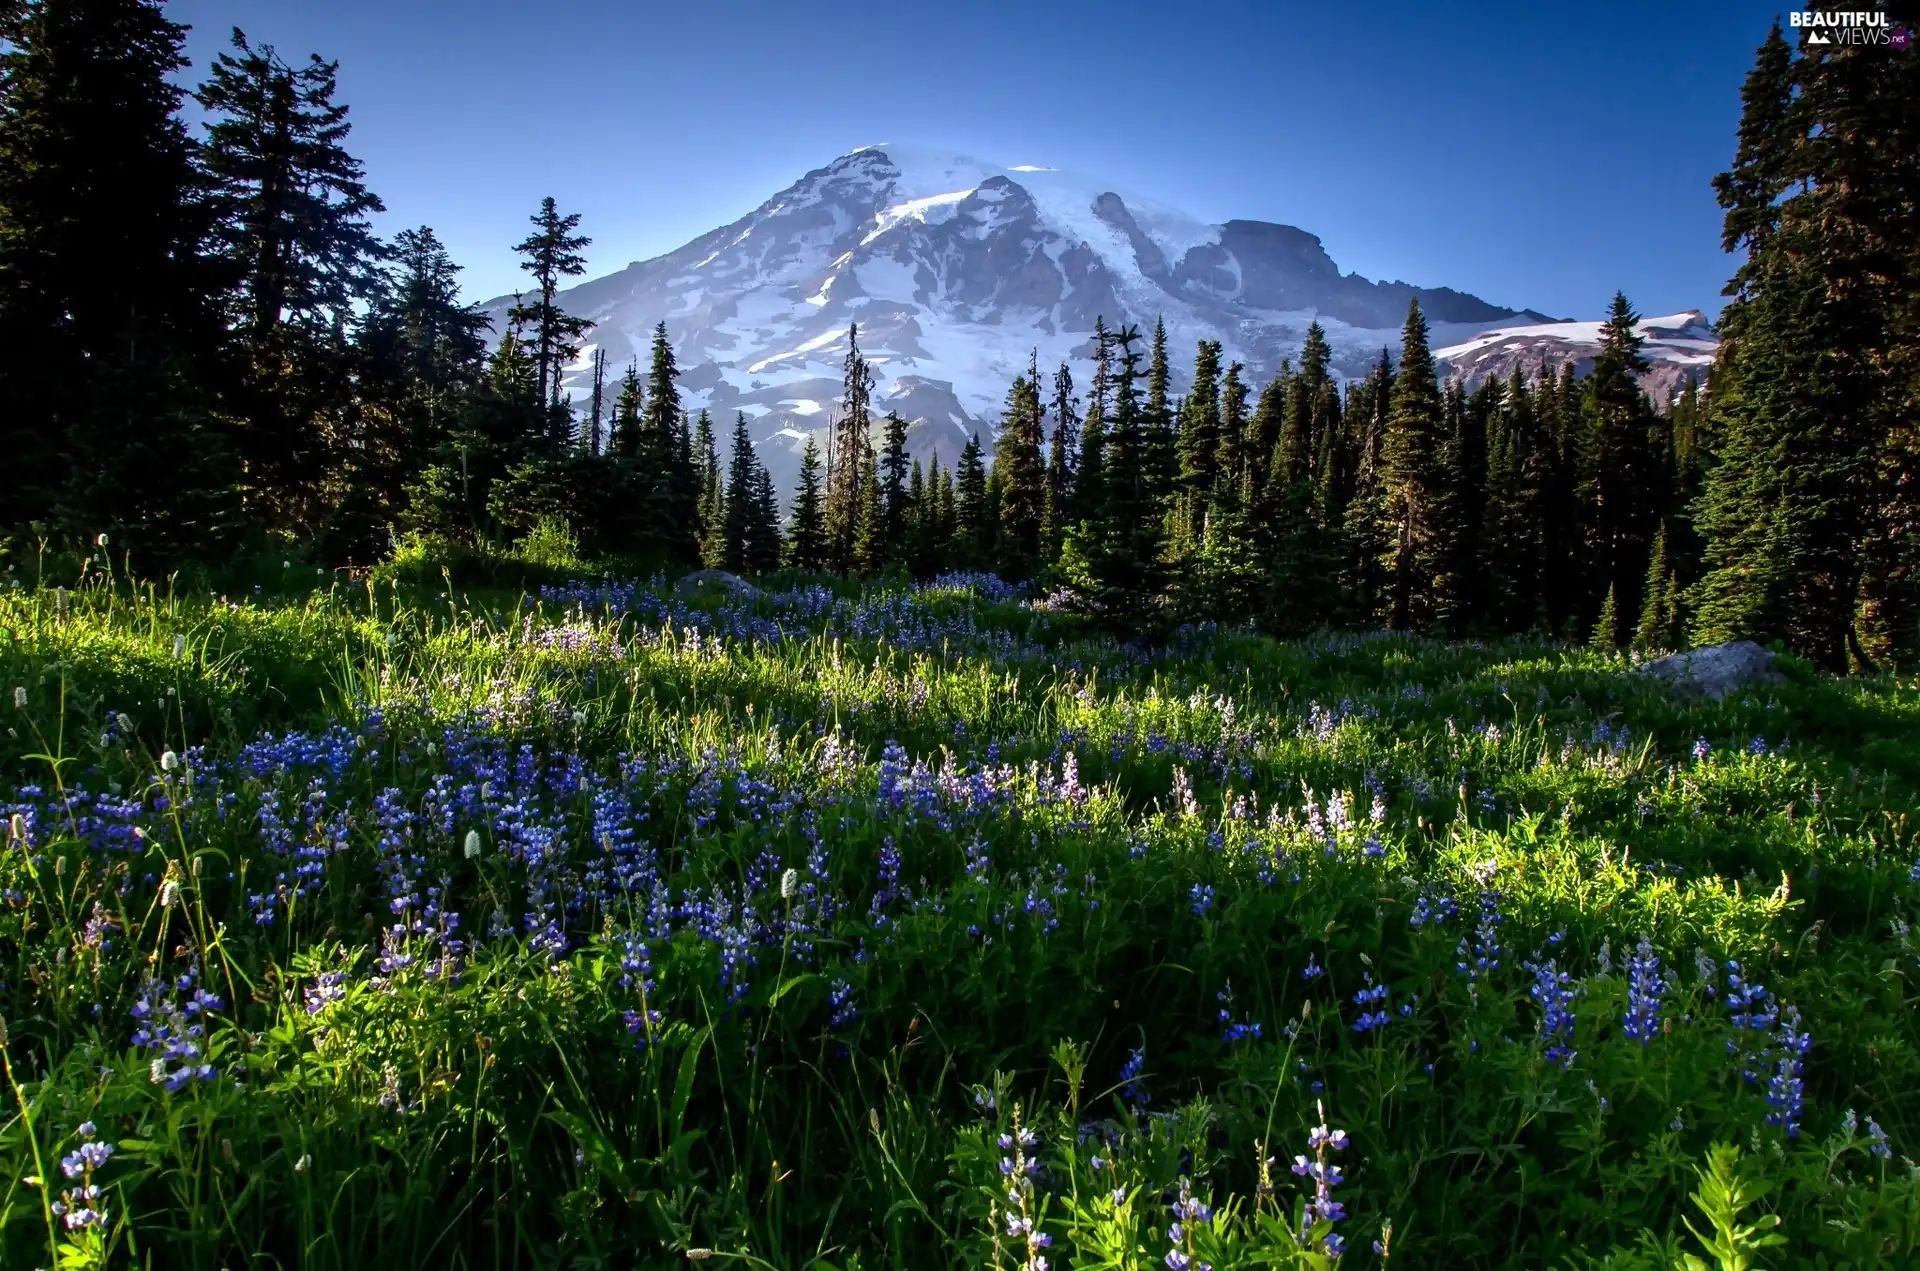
819	1074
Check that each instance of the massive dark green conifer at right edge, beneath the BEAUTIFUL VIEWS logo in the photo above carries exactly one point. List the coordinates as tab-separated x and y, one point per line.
1808	510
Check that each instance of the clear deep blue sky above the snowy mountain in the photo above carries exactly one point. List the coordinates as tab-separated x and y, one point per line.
1537	155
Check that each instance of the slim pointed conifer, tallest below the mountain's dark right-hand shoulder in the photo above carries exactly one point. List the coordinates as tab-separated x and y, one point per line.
1412	483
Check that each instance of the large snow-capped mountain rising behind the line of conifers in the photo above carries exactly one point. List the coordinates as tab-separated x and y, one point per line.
961	272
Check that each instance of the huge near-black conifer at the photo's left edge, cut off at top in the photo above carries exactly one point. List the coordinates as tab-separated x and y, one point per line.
108	339
